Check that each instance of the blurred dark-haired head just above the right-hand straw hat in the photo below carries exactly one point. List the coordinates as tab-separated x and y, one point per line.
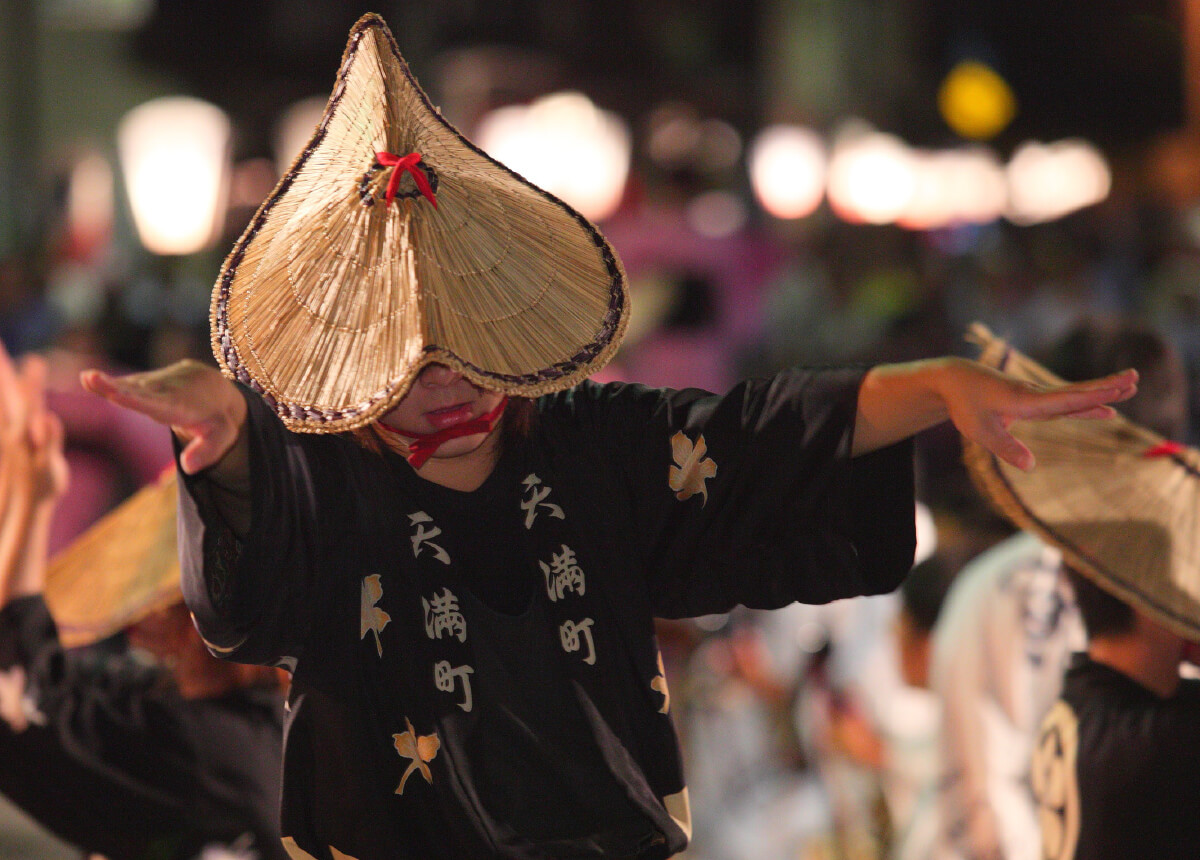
1099	347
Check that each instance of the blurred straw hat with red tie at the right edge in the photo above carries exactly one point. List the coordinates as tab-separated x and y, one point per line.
1120	501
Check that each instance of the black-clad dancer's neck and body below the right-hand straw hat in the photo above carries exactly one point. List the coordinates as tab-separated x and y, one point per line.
1118	761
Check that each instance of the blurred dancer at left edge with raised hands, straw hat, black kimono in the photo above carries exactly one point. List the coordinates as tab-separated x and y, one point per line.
133	760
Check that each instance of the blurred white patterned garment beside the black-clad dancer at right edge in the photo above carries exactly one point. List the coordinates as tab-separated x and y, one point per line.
1000	651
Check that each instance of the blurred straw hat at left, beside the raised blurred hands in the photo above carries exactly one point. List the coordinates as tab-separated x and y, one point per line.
118	572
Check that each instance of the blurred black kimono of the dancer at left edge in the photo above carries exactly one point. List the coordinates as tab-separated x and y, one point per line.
105	753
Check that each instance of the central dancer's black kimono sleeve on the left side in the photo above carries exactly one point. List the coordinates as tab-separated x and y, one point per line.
251	598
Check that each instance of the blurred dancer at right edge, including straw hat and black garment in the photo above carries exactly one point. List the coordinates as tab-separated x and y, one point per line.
1118	501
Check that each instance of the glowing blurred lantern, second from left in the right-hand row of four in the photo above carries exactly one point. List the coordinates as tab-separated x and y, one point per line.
873	177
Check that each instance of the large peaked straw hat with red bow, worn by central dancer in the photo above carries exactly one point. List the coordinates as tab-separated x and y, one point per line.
334	299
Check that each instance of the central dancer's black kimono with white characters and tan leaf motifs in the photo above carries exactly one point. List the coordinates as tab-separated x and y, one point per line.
477	675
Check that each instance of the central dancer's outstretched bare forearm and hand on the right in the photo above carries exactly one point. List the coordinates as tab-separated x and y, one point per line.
898	401
